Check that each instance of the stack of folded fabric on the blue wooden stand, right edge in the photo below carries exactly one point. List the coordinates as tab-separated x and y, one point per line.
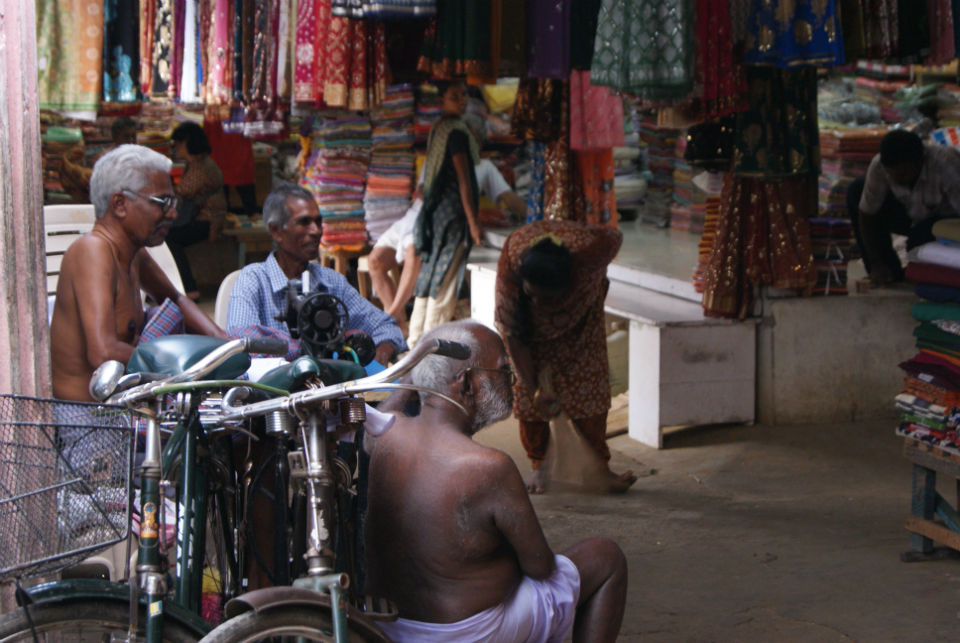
930	400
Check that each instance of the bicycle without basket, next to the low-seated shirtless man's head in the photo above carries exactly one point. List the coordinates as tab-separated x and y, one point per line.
319	606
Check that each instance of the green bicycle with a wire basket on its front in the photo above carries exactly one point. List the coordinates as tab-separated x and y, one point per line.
81	609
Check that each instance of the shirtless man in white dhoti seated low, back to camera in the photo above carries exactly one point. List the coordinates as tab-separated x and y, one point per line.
451	534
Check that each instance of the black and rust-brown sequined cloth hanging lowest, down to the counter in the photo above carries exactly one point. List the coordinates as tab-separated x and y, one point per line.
762	236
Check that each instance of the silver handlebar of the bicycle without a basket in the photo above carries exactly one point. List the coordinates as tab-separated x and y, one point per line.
382	380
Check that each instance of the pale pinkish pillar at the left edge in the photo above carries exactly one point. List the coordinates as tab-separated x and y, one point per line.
24	338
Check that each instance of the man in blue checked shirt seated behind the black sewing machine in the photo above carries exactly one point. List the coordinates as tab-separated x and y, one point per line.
259	295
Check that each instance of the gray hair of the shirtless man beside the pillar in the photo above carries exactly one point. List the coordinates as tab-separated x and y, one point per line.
126	167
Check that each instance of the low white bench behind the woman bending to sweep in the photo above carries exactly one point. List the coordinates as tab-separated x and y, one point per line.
684	369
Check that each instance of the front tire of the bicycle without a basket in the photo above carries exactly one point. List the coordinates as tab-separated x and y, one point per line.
288	623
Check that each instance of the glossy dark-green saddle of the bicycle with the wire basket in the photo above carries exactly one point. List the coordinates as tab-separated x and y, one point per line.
173	354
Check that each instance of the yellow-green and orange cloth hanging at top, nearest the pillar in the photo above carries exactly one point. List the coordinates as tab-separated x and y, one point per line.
69	54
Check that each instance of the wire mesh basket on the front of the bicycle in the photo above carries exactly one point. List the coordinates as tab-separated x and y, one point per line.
65	474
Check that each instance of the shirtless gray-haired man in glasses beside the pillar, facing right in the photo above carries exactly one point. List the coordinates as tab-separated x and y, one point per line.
98	315
